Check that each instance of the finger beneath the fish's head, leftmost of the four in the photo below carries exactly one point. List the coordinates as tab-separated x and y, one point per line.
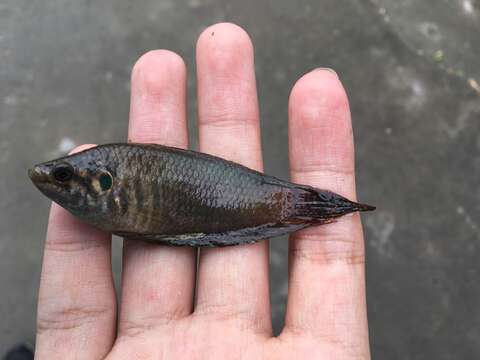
76	302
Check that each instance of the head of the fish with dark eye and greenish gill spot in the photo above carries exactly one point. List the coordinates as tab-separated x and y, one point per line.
80	183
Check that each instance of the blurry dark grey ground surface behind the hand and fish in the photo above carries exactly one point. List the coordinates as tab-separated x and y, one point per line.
411	69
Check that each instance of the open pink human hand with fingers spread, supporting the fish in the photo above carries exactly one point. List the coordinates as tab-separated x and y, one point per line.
231	316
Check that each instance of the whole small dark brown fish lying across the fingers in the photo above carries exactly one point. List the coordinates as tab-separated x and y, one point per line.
181	197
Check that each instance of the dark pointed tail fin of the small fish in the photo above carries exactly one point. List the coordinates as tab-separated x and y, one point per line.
320	205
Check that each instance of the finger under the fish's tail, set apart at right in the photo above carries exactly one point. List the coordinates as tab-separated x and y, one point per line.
327	278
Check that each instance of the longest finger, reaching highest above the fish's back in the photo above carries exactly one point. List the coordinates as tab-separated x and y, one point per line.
232	282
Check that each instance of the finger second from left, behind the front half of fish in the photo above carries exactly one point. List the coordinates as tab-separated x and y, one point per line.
157	281
